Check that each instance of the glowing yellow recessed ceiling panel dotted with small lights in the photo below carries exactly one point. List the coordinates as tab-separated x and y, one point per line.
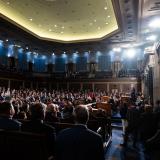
41	16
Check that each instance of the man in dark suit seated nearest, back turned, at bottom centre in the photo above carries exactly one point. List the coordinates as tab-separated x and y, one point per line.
79	143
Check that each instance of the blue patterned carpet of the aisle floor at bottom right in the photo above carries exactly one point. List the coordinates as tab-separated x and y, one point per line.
116	152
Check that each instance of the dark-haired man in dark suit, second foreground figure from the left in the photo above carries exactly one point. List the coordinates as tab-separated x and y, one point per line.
36	125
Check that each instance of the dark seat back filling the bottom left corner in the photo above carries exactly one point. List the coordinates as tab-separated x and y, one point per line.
22	146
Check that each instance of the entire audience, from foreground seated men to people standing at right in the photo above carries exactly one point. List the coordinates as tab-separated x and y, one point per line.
139	118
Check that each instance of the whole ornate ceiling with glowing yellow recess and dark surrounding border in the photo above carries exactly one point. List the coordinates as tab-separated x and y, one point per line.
130	16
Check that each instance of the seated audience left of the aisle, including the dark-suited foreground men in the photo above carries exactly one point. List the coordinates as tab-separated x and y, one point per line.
39	109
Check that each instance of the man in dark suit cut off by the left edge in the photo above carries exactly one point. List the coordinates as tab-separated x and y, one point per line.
6	114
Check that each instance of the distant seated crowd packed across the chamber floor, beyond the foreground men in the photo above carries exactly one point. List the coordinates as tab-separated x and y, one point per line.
62	100
